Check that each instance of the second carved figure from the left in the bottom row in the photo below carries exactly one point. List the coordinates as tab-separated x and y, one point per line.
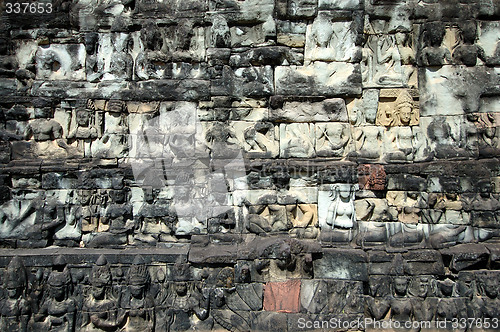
58	311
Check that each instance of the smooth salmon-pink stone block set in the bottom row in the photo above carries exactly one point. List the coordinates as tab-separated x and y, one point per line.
282	296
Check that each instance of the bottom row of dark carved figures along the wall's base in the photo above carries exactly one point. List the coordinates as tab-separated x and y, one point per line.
59	303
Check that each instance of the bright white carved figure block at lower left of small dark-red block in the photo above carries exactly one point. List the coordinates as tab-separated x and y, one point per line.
336	206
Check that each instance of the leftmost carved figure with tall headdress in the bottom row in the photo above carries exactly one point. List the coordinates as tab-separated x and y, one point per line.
15	308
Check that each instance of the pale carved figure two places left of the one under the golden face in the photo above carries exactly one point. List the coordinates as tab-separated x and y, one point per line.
332	139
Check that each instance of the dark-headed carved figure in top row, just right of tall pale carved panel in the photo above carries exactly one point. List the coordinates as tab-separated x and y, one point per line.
434	54
